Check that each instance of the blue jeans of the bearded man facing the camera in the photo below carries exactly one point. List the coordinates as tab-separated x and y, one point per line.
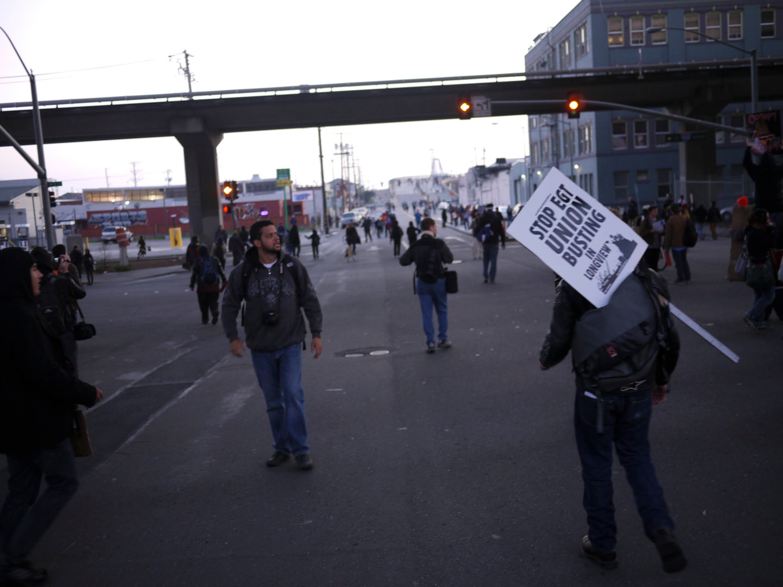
279	374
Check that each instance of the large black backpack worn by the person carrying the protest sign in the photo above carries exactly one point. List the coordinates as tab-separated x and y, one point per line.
629	343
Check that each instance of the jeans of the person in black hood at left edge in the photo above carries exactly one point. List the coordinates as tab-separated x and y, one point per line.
26	515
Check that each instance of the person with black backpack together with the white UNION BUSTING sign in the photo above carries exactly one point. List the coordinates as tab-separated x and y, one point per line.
611	313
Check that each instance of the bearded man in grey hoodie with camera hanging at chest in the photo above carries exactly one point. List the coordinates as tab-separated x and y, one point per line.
275	288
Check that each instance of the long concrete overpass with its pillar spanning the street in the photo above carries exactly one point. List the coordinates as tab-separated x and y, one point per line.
199	119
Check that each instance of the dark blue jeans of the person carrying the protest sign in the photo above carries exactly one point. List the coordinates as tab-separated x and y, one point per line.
626	426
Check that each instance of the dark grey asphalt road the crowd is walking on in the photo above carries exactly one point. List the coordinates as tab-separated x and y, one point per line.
453	469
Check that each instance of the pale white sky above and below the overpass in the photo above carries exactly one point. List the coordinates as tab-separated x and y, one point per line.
94	48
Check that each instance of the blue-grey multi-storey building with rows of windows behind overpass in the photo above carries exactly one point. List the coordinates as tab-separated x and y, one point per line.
622	155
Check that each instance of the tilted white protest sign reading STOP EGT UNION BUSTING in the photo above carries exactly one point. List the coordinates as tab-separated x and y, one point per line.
578	238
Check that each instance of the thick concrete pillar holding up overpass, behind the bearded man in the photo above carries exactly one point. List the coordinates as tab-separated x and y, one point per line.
201	175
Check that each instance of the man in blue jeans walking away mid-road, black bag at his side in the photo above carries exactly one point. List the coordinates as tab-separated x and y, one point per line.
429	253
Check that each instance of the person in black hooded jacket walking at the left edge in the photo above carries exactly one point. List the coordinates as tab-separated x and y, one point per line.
37	401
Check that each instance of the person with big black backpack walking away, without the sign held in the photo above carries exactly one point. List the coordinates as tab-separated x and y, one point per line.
619	377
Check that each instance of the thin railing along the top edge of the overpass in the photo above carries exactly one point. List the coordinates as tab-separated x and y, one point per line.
388	84
